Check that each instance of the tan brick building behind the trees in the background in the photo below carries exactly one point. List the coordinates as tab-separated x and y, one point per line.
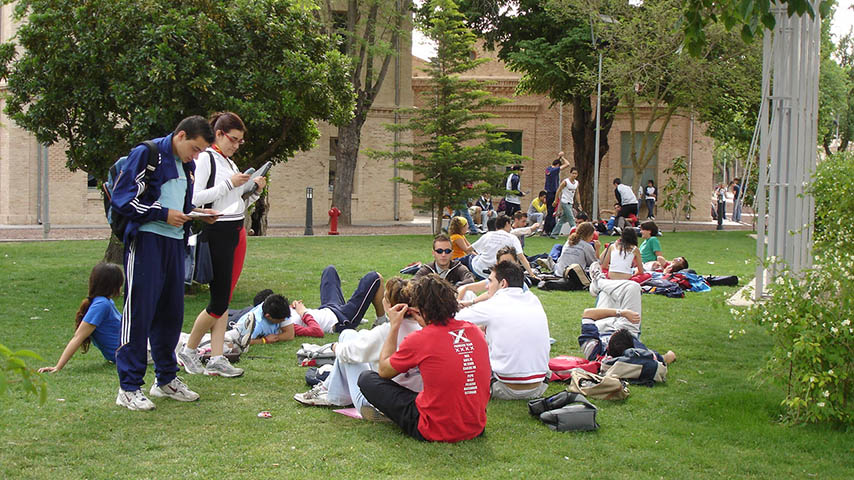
537	130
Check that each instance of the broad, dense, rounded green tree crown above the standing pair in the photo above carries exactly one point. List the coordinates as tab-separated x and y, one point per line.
102	75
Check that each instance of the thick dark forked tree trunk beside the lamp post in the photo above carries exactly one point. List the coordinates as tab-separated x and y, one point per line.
584	143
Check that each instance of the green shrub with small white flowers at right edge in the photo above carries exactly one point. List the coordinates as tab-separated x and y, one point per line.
810	315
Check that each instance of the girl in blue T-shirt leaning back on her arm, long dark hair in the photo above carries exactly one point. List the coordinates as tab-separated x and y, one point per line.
97	321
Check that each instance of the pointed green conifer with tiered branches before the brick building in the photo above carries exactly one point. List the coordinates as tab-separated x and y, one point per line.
459	148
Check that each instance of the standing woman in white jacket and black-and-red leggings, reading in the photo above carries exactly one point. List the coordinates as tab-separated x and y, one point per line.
220	185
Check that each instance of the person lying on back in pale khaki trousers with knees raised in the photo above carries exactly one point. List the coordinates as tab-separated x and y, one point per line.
618	307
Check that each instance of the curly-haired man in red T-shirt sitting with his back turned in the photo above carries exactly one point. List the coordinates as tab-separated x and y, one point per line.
453	358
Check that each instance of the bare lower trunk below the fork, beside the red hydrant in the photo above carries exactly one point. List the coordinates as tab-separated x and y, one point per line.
349	139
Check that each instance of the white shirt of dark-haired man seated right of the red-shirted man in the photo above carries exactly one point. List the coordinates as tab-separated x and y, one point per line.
517	332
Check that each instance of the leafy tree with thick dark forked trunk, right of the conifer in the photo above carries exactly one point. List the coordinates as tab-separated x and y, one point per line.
556	56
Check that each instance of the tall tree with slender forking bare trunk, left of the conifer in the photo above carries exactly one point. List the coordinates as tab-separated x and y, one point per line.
368	33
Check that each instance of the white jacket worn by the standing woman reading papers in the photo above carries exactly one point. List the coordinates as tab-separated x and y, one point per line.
226	199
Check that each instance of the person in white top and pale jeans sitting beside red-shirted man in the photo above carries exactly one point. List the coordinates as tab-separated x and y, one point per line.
359	350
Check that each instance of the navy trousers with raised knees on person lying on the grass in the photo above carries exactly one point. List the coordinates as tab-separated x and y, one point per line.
349	312
